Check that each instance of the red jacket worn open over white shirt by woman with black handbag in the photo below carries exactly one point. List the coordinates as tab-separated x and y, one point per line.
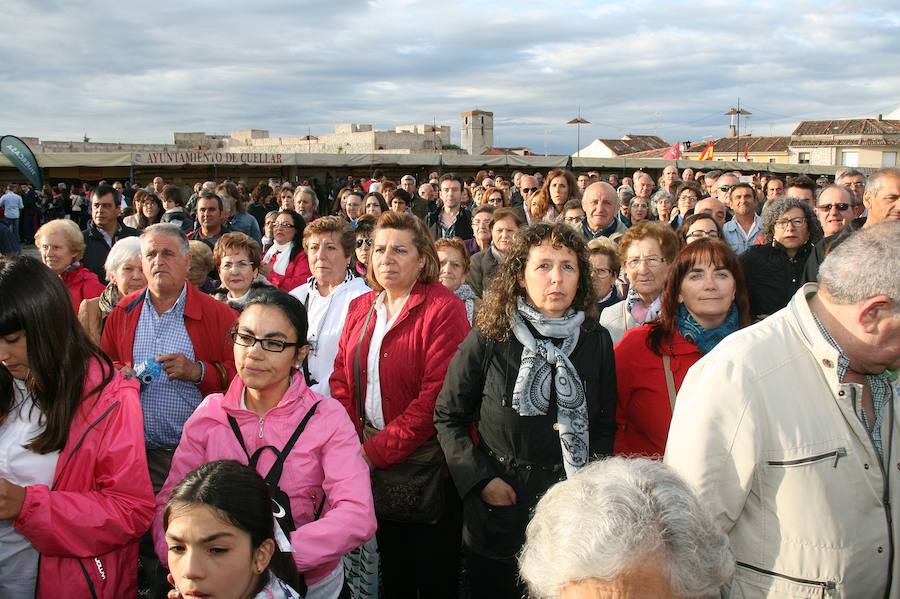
415	355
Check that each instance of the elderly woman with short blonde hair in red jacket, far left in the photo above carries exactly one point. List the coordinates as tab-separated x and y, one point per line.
61	246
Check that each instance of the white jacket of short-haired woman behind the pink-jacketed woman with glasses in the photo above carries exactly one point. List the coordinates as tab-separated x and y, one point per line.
326	321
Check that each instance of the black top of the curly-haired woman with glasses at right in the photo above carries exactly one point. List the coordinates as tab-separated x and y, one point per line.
772	276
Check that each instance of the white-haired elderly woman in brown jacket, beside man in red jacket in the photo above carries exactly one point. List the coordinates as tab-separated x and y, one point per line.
125	275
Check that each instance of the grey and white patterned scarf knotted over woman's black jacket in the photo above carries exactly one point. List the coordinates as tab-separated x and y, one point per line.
543	365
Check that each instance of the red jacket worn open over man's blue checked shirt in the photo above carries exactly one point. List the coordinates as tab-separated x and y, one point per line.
207	322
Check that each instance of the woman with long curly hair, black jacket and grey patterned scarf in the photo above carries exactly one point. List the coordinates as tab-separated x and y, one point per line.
536	379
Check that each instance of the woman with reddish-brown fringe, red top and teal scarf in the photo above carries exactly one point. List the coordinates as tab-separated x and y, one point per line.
704	299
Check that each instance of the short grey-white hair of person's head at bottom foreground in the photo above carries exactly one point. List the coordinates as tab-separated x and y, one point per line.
618	513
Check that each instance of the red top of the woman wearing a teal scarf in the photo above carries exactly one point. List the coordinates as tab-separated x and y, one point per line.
643	411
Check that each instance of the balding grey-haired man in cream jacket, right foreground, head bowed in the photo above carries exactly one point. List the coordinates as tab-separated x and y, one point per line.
789	432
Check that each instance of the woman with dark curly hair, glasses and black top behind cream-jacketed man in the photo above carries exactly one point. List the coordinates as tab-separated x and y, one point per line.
774	269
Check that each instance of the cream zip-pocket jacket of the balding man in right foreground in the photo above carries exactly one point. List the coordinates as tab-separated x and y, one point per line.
771	441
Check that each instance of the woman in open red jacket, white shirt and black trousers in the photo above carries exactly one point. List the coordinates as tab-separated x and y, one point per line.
392	358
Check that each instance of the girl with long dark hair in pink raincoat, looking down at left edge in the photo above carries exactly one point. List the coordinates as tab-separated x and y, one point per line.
75	494
